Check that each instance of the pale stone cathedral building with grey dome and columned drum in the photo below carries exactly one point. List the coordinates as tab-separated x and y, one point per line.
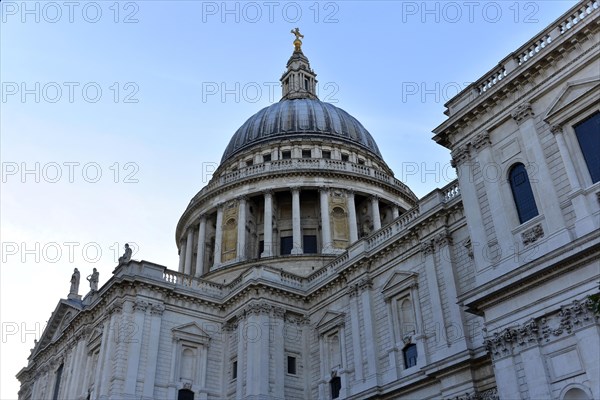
307	271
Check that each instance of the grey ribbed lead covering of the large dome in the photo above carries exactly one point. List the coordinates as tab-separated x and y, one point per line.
299	118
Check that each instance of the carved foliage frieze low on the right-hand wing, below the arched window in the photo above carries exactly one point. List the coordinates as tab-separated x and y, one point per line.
535	331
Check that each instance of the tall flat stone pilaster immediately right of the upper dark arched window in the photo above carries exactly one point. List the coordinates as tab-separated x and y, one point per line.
548	199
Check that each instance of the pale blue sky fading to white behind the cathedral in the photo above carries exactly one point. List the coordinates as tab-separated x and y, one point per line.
113	114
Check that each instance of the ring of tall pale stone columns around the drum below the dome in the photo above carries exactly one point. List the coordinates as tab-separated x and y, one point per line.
327	247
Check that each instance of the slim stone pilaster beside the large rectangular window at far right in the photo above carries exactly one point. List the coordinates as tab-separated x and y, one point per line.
583	223
